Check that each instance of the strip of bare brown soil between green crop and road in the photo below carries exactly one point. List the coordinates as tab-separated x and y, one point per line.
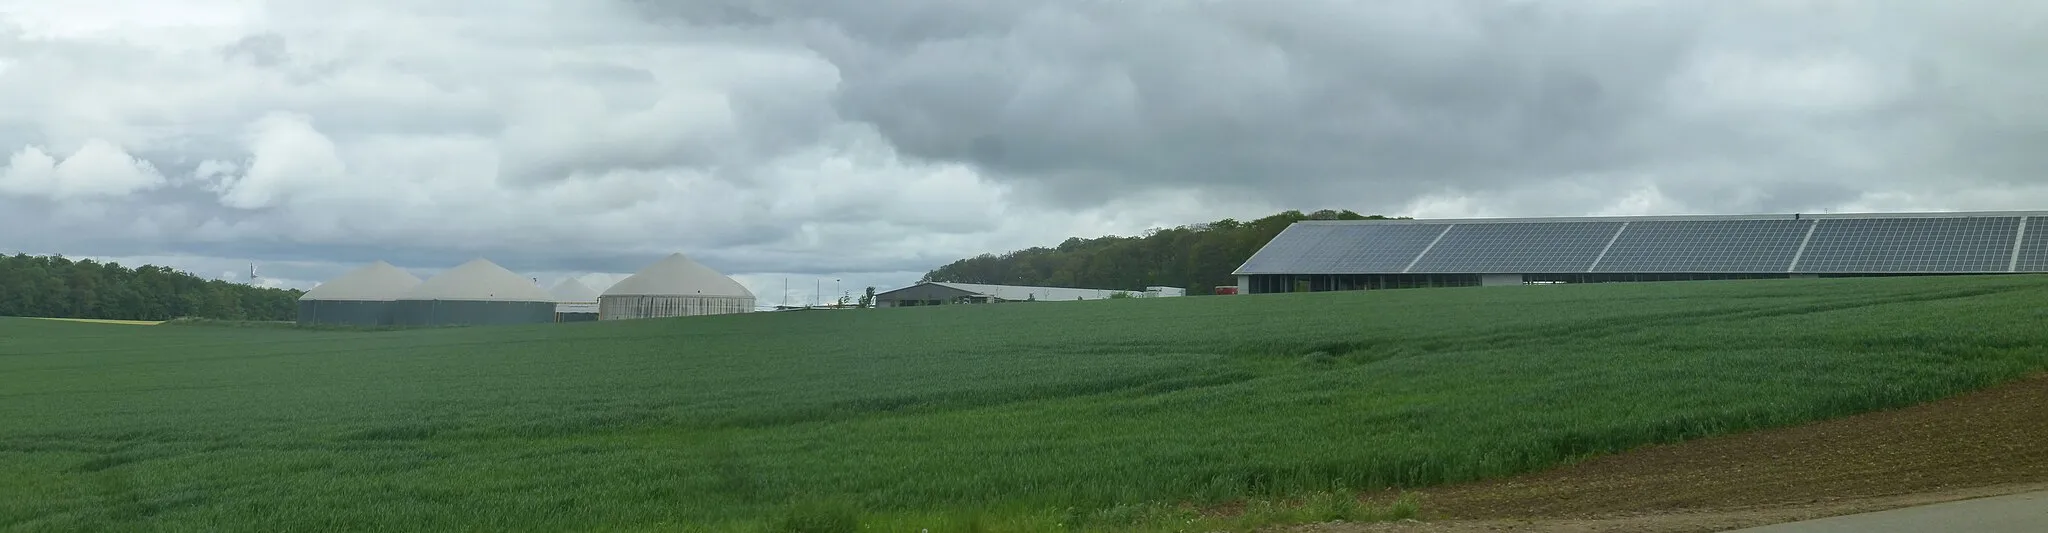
1981	444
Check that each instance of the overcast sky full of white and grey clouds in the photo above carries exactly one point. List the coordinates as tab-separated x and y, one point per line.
878	140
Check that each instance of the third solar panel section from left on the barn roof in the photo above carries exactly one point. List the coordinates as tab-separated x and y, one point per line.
1705	247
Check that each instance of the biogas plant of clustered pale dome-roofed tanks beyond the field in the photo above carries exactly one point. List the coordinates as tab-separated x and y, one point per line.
484	294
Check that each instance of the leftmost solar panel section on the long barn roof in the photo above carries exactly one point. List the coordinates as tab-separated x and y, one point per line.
1345	249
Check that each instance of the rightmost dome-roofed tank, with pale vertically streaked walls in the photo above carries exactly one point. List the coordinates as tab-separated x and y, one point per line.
675	286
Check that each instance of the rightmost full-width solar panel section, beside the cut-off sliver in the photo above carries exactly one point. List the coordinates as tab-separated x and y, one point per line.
1912	245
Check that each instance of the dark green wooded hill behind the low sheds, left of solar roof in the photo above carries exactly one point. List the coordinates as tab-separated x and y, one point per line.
1195	257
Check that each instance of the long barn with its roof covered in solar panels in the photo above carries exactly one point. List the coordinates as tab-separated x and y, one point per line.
1459	253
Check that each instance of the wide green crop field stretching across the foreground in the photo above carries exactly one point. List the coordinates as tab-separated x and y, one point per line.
1031	417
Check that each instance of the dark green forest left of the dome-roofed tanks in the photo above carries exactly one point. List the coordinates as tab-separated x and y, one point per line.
62	288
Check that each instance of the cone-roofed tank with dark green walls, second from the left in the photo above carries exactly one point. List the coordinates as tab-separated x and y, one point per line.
476	294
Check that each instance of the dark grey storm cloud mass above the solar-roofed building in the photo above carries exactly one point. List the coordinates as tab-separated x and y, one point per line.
1398	99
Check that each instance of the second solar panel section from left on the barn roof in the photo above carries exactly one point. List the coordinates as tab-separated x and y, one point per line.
1535	247
